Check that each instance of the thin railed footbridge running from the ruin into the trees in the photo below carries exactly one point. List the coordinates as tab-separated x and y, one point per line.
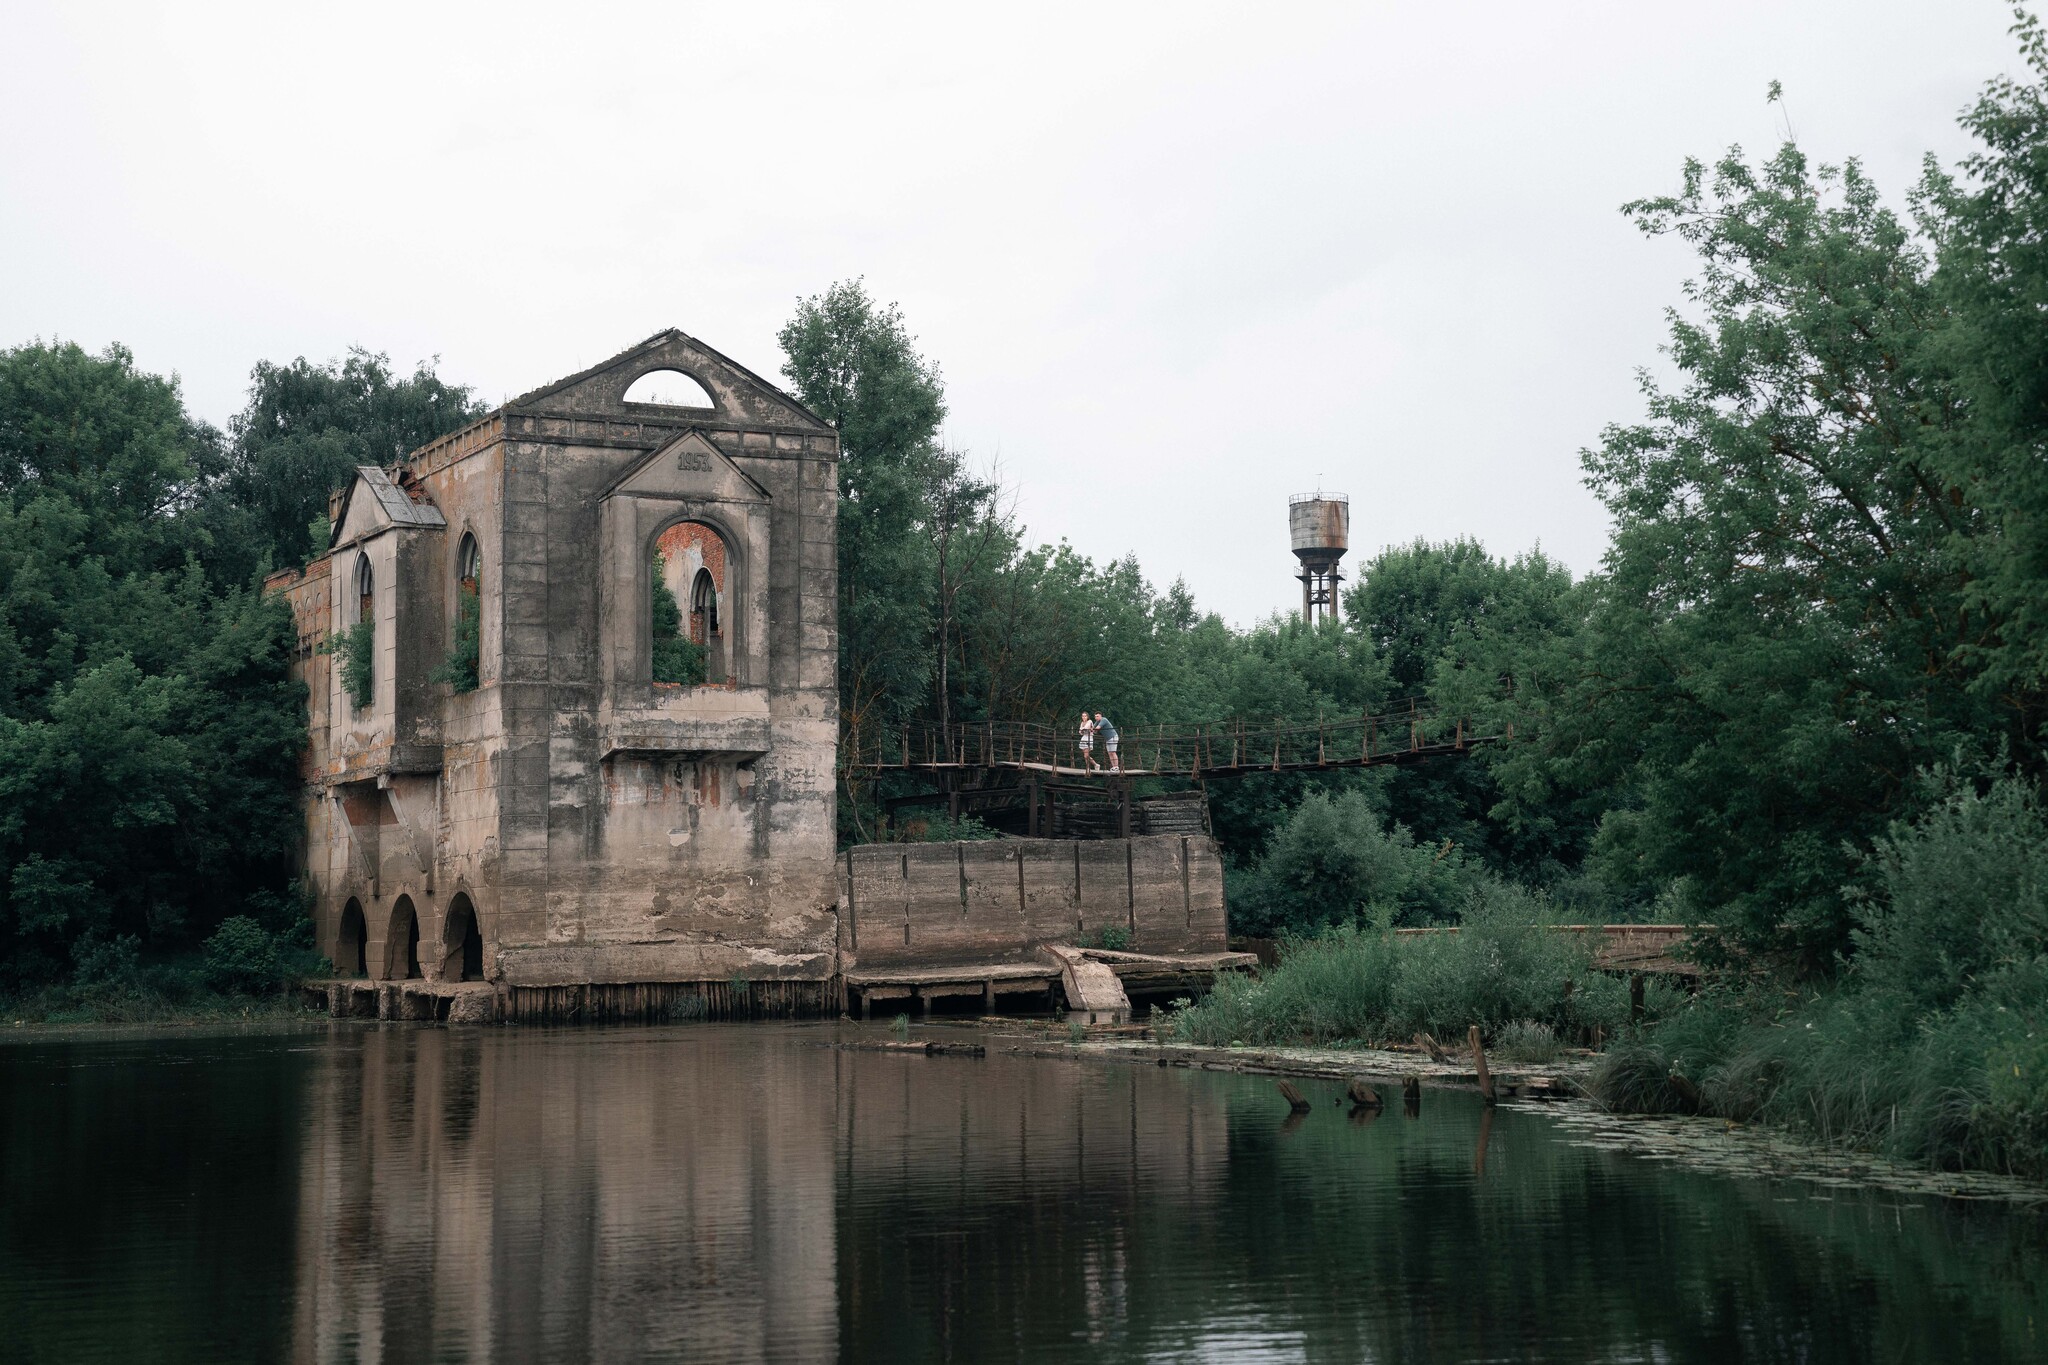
1189	750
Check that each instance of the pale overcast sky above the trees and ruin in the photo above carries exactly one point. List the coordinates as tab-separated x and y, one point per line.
1177	261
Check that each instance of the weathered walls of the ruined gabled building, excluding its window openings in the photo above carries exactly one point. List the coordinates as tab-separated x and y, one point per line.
605	830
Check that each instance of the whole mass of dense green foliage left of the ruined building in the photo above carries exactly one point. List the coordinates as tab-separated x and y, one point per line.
148	728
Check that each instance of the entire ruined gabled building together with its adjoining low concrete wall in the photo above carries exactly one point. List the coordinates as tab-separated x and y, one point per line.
589	805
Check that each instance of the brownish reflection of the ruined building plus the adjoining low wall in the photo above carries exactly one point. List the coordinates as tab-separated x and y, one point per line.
712	1194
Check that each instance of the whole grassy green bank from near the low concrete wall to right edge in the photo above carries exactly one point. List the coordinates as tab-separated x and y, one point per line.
1928	1047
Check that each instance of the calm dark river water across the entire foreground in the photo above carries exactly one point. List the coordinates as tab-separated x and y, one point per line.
749	1194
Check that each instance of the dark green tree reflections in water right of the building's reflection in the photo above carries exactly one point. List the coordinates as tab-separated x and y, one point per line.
1383	1241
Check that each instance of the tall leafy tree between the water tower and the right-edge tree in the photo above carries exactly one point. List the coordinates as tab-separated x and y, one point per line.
1777	642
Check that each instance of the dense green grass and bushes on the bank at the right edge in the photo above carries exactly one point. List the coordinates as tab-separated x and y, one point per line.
1932	1047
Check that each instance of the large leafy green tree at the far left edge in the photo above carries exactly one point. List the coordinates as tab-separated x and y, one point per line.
148	723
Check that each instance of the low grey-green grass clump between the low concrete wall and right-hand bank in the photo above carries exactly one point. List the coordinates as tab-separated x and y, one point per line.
1367	983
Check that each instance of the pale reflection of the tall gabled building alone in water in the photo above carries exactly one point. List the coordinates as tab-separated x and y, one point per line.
566	1198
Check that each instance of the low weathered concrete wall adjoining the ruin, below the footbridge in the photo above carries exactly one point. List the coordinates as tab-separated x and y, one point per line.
992	901
